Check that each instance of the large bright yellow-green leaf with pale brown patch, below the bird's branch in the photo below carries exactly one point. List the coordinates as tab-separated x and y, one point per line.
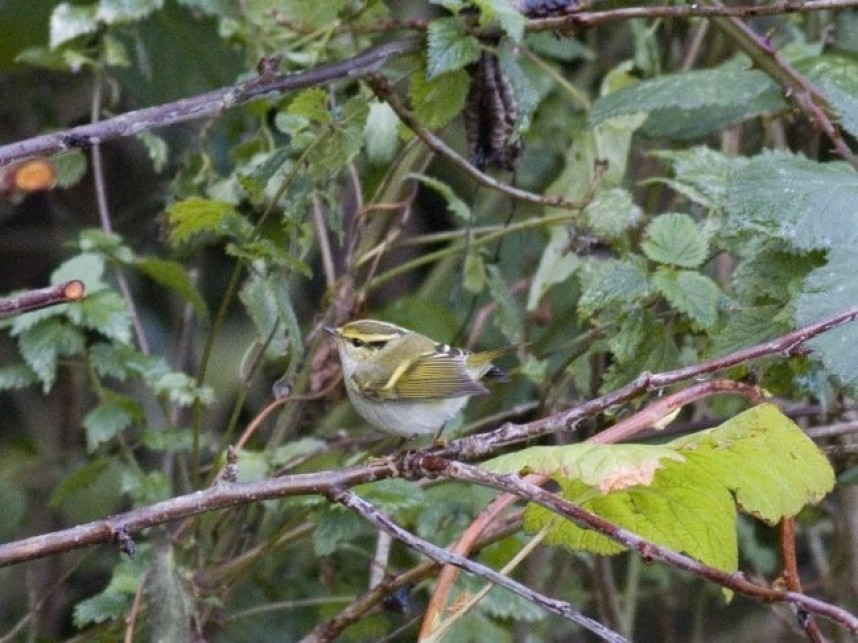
682	495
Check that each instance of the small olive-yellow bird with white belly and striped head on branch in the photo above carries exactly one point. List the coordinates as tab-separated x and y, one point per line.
404	383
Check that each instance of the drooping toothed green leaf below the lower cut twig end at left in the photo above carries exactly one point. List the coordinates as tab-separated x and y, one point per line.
42	345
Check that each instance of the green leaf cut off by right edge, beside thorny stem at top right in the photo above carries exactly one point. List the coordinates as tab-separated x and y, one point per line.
837	75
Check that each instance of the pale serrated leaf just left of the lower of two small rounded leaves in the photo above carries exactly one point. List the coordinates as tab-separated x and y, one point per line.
611	282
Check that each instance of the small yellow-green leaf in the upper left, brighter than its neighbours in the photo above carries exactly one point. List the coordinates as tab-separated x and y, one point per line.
196	217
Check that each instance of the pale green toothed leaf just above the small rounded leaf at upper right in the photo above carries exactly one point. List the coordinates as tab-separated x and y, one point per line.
701	174
